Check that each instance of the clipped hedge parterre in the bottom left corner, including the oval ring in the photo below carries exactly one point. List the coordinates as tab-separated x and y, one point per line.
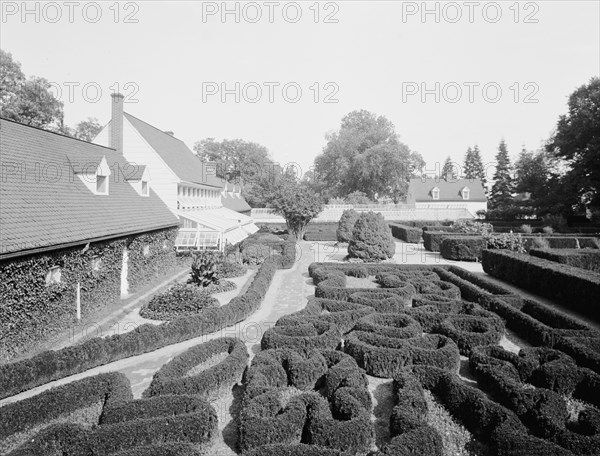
173	419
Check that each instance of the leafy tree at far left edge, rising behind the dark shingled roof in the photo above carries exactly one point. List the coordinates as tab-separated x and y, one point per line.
28	101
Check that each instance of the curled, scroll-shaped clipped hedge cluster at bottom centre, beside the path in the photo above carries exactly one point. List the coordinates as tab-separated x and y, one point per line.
307	417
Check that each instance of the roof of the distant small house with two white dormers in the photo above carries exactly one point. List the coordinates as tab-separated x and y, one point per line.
419	190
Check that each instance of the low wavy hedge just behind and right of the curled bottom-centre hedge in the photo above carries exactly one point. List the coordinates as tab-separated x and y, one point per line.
384	357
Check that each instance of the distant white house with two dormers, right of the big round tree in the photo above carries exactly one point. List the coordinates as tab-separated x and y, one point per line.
438	193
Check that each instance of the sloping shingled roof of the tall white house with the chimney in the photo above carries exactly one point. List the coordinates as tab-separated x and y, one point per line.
177	155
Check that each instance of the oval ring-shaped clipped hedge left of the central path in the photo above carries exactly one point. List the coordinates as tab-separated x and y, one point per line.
174	377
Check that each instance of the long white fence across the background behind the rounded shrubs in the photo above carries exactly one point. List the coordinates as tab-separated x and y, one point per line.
333	212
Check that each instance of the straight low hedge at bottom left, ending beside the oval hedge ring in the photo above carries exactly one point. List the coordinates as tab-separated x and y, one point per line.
60	401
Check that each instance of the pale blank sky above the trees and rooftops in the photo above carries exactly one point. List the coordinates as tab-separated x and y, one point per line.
369	55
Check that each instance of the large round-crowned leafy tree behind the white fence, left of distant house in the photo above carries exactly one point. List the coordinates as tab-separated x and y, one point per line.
365	155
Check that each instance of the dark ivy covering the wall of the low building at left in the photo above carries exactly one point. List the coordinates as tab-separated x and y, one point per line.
32	311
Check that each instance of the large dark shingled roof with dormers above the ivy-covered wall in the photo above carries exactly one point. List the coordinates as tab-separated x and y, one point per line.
43	204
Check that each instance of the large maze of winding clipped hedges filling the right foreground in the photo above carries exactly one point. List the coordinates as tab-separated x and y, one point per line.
307	394
